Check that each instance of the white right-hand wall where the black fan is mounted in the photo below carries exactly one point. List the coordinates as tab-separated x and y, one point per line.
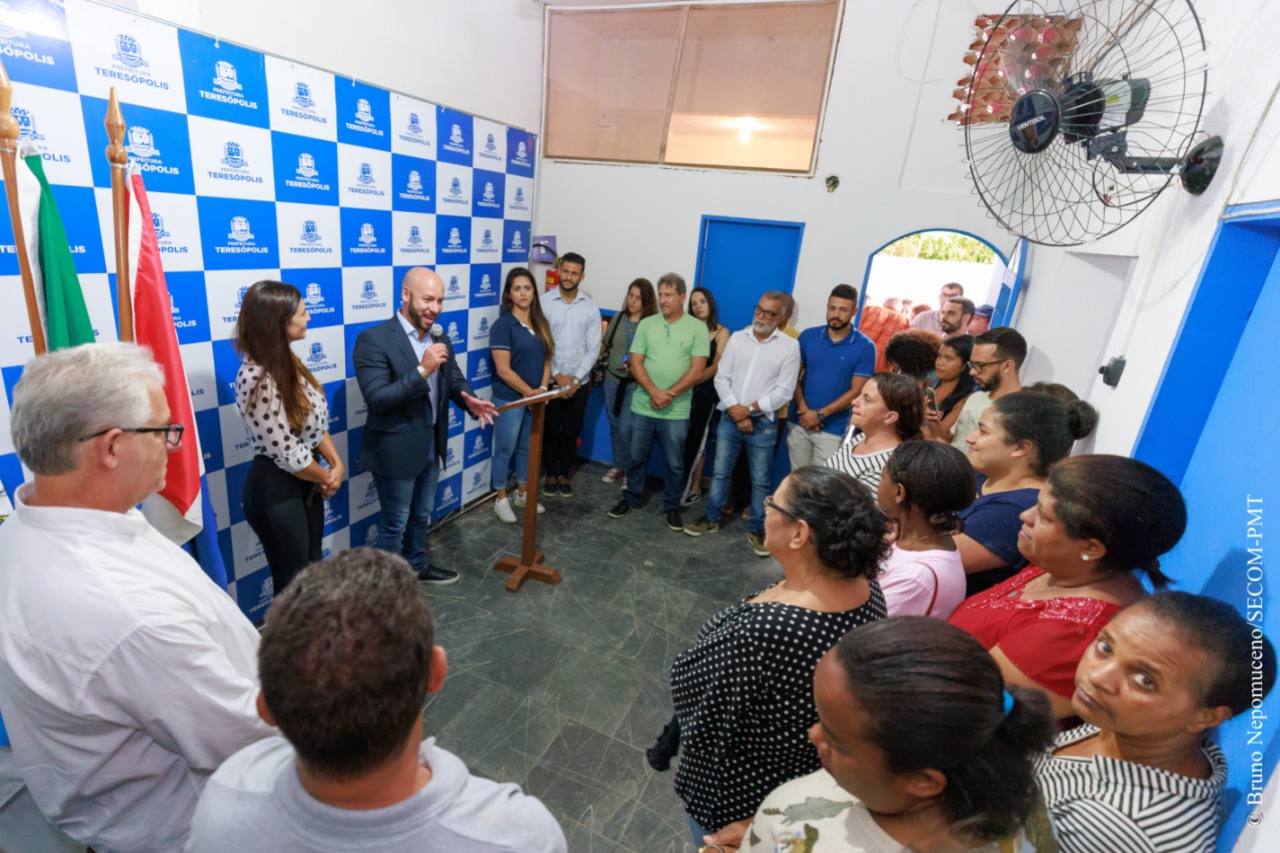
1172	239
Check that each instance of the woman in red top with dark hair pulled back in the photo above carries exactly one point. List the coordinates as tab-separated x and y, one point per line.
1099	521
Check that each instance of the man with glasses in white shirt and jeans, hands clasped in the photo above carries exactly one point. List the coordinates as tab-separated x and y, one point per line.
757	377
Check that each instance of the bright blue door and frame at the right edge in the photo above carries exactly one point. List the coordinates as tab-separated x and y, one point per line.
1203	432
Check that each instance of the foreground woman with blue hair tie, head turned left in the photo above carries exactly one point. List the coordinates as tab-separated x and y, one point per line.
922	747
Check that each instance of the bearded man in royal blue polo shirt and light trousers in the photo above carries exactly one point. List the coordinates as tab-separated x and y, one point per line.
836	361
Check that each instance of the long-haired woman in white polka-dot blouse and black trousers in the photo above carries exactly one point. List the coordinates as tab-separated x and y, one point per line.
287	419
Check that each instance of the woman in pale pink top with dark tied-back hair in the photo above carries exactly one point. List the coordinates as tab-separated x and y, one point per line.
924	490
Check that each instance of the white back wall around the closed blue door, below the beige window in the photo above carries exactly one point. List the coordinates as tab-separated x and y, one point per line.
644	221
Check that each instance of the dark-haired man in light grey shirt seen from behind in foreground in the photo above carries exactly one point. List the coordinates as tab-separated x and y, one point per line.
346	662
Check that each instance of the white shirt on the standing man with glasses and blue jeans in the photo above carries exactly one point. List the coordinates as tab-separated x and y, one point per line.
761	372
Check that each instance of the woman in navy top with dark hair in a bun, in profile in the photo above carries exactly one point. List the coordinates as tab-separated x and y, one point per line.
1017	441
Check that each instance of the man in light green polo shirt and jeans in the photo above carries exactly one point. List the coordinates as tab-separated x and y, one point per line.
669	354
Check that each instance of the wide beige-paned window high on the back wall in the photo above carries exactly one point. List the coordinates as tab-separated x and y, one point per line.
723	86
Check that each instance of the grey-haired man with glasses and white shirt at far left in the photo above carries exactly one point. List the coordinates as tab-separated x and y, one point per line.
126	676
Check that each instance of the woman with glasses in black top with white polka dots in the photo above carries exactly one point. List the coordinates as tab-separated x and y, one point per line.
744	692
